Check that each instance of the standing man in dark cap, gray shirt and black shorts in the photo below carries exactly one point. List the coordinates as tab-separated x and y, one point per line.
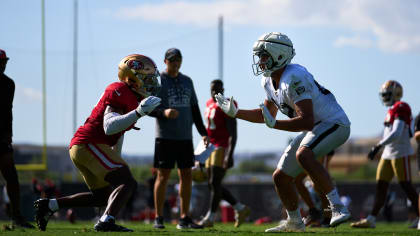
178	111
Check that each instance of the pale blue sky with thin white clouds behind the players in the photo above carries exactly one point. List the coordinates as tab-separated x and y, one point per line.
350	46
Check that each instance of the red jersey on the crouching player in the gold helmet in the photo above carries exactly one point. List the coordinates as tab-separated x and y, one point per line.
117	95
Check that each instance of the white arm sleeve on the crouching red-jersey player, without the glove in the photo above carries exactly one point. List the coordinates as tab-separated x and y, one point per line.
115	123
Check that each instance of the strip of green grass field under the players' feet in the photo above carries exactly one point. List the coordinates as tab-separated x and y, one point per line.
59	228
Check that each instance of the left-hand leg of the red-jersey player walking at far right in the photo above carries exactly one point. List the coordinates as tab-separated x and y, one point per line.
384	175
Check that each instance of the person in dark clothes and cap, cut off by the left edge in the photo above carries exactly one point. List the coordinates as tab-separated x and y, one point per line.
7	164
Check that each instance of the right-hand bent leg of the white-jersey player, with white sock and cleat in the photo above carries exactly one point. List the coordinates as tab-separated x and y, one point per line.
324	138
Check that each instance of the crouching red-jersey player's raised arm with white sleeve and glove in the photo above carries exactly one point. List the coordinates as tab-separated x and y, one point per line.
115	122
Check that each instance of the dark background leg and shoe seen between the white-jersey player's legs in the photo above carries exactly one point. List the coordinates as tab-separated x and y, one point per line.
314	215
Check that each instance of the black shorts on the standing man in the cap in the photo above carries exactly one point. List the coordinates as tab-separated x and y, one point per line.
169	151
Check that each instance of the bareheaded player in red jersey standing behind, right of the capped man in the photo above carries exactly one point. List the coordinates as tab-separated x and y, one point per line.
221	130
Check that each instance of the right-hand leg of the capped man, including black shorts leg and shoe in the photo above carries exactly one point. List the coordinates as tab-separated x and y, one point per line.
185	161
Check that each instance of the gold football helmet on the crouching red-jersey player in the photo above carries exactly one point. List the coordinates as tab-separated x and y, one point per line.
140	73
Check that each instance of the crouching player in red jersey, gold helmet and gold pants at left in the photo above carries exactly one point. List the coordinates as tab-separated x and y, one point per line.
96	146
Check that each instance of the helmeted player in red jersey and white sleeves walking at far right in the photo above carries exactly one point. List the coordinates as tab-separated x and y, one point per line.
397	149
